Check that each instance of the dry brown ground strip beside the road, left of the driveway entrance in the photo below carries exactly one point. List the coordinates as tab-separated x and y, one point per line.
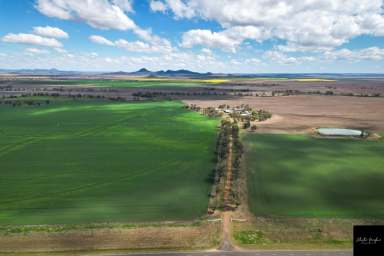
205	235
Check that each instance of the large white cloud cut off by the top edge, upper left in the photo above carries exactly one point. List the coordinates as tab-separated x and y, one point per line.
102	14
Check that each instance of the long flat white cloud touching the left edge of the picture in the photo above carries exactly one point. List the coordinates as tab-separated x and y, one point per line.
31	39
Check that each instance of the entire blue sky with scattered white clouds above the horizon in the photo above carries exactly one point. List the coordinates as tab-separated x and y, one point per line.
243	36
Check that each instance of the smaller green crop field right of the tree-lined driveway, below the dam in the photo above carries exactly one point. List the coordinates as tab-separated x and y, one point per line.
296	175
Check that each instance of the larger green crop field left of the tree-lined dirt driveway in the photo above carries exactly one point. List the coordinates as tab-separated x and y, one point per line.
99	161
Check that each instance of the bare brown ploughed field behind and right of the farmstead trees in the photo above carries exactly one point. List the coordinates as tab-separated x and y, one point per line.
302	112
